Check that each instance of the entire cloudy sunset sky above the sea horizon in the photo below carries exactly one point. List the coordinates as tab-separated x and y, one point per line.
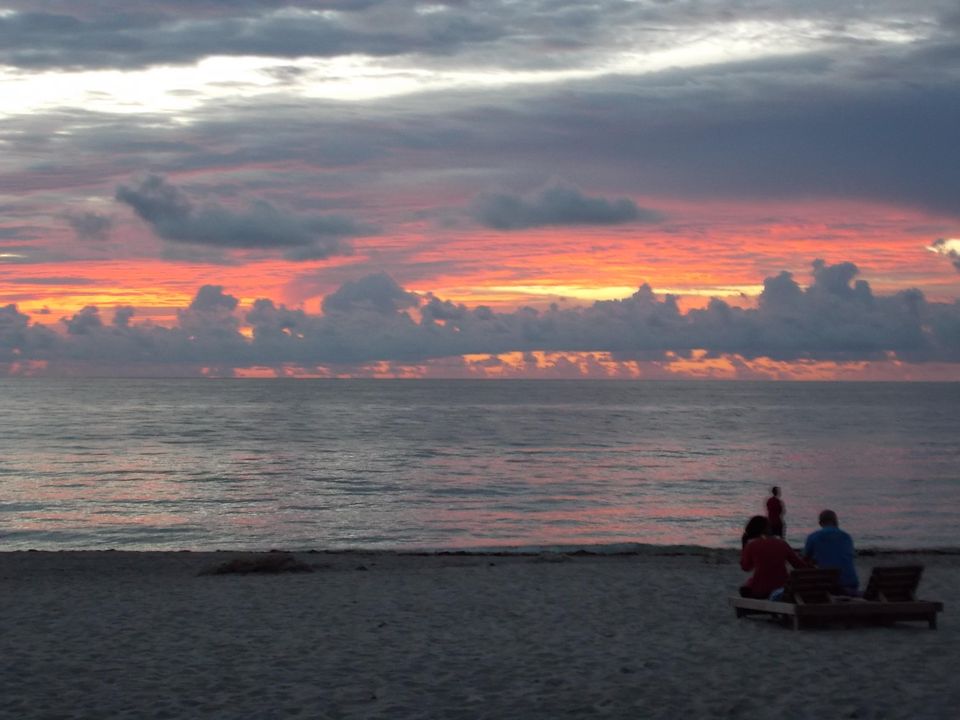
765	189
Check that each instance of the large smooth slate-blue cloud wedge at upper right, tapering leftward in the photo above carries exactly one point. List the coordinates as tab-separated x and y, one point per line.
723	133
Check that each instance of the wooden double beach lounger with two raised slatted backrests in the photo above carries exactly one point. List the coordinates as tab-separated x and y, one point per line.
808	595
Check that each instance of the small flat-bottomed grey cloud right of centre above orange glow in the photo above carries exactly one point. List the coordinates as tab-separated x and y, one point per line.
556	205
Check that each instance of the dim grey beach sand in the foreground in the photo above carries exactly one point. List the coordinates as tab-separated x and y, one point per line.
648	635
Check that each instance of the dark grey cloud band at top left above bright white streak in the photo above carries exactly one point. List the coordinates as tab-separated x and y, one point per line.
67	39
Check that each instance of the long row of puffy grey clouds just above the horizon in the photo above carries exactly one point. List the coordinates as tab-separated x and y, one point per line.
837	318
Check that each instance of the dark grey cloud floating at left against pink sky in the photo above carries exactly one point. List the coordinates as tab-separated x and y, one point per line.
174	217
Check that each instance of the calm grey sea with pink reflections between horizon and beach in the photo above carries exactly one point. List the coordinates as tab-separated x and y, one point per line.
258	464
